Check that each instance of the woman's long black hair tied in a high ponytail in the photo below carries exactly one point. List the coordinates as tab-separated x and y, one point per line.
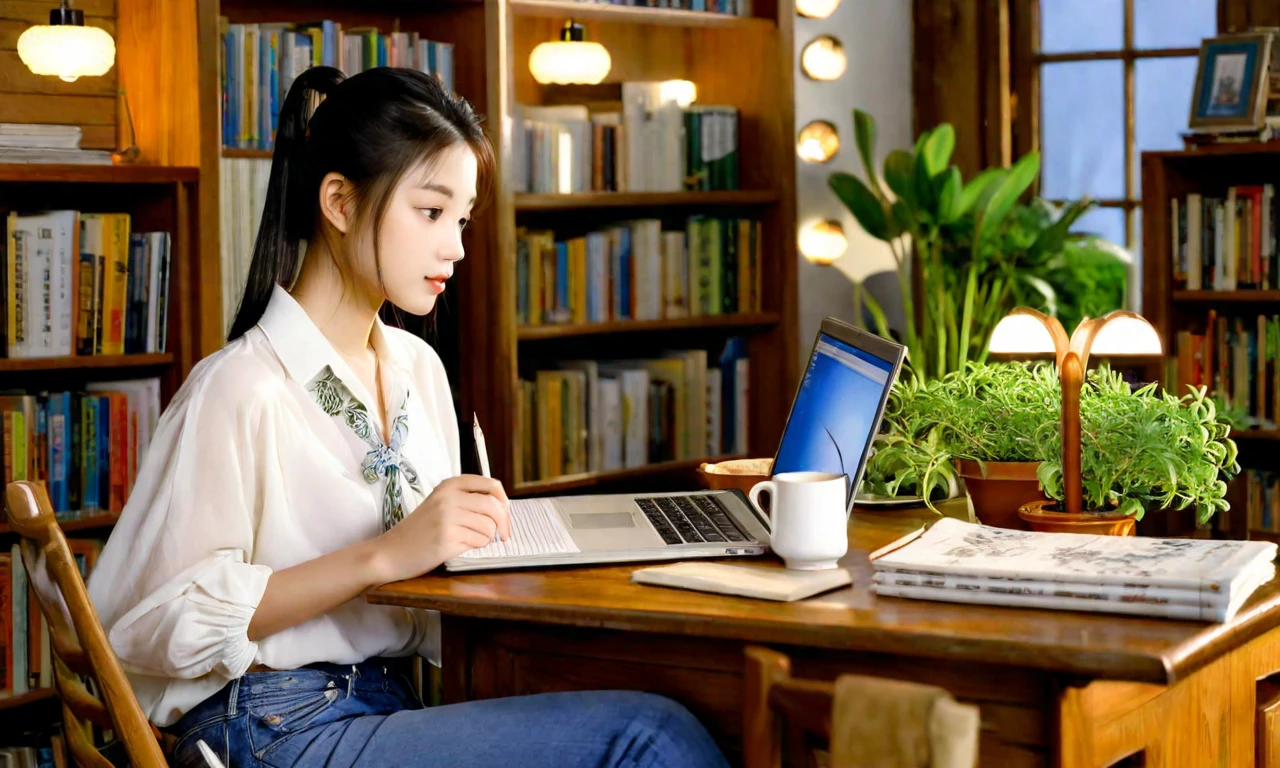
371	129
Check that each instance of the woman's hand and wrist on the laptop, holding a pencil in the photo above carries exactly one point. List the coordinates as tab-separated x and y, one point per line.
460	515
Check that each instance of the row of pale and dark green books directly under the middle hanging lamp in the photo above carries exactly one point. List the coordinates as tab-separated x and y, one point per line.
651	144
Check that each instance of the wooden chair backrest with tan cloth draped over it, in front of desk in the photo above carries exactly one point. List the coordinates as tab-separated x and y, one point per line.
771	697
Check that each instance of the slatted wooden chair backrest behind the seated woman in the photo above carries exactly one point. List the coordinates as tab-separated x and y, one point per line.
79	641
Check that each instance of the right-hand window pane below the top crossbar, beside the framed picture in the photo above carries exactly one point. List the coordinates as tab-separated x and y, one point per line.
1163	102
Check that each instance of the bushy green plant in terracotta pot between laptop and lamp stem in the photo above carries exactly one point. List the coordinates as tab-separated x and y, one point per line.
979	424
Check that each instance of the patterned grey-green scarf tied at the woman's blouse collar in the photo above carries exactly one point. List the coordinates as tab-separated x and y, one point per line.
383	460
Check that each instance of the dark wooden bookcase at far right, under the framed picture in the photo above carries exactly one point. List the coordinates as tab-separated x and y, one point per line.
1212	286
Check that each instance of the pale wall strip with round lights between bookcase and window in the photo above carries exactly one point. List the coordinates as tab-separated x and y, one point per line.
877	40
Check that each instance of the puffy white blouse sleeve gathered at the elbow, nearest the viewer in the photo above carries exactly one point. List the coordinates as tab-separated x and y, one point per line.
176	587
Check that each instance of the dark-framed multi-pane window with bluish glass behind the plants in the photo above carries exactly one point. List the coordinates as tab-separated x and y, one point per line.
1114	80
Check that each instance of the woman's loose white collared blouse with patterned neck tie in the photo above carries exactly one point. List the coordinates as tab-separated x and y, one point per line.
266	459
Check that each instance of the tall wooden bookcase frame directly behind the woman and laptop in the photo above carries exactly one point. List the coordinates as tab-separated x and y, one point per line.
744	62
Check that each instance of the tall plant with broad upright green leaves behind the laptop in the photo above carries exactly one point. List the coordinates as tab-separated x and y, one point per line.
912	207
